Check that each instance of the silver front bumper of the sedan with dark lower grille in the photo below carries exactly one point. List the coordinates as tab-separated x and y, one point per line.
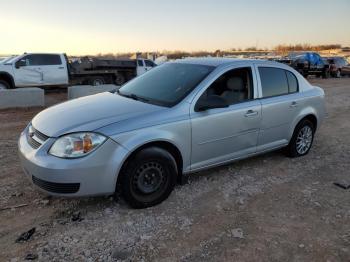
94	174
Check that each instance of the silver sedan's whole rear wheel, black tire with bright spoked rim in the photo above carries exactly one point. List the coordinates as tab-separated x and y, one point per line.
302	139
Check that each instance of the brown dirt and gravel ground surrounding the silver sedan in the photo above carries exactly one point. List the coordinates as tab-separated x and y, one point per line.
266	208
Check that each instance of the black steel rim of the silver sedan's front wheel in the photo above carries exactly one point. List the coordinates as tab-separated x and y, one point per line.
149	177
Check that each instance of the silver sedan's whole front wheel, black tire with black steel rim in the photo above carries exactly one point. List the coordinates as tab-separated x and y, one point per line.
148	177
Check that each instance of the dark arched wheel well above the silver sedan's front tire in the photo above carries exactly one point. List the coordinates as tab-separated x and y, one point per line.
172	149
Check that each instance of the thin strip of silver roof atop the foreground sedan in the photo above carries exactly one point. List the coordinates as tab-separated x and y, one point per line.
219	61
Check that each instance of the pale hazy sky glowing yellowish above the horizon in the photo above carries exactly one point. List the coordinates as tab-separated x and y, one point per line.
102	26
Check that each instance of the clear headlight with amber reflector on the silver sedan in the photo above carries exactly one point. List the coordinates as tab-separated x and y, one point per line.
76	145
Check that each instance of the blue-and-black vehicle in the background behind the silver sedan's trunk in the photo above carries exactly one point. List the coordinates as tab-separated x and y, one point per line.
310	63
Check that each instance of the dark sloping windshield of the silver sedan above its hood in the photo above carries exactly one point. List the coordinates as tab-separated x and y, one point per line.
166	85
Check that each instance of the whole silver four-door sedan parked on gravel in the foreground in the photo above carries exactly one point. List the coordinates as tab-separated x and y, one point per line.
178	118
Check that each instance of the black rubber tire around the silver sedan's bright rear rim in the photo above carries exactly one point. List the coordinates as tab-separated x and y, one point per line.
292	148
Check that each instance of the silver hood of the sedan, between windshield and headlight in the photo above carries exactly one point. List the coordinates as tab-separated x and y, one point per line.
89	113
